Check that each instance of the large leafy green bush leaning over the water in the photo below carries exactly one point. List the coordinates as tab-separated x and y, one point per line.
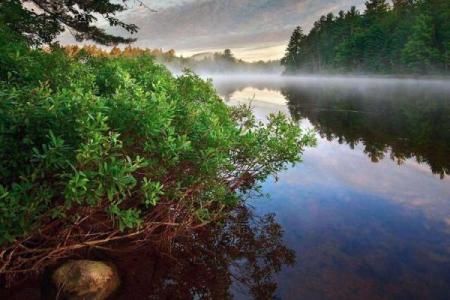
117	137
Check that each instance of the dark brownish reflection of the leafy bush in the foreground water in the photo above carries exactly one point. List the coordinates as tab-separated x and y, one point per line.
245	249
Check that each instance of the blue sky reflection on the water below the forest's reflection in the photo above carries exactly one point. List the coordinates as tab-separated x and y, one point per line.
358	243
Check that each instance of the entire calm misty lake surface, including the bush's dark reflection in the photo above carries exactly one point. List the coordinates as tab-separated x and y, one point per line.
365	216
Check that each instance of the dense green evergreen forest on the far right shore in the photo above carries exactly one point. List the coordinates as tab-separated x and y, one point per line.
407	36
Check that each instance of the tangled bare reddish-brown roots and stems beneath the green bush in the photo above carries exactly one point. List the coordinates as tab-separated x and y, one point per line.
58	240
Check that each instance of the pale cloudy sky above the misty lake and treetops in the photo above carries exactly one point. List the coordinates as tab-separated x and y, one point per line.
252	29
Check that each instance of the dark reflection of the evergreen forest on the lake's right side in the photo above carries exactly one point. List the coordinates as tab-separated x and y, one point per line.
400	123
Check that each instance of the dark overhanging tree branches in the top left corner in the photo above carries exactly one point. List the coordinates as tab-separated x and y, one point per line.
42	20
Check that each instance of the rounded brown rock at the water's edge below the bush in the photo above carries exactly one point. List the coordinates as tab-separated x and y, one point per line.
86	280
